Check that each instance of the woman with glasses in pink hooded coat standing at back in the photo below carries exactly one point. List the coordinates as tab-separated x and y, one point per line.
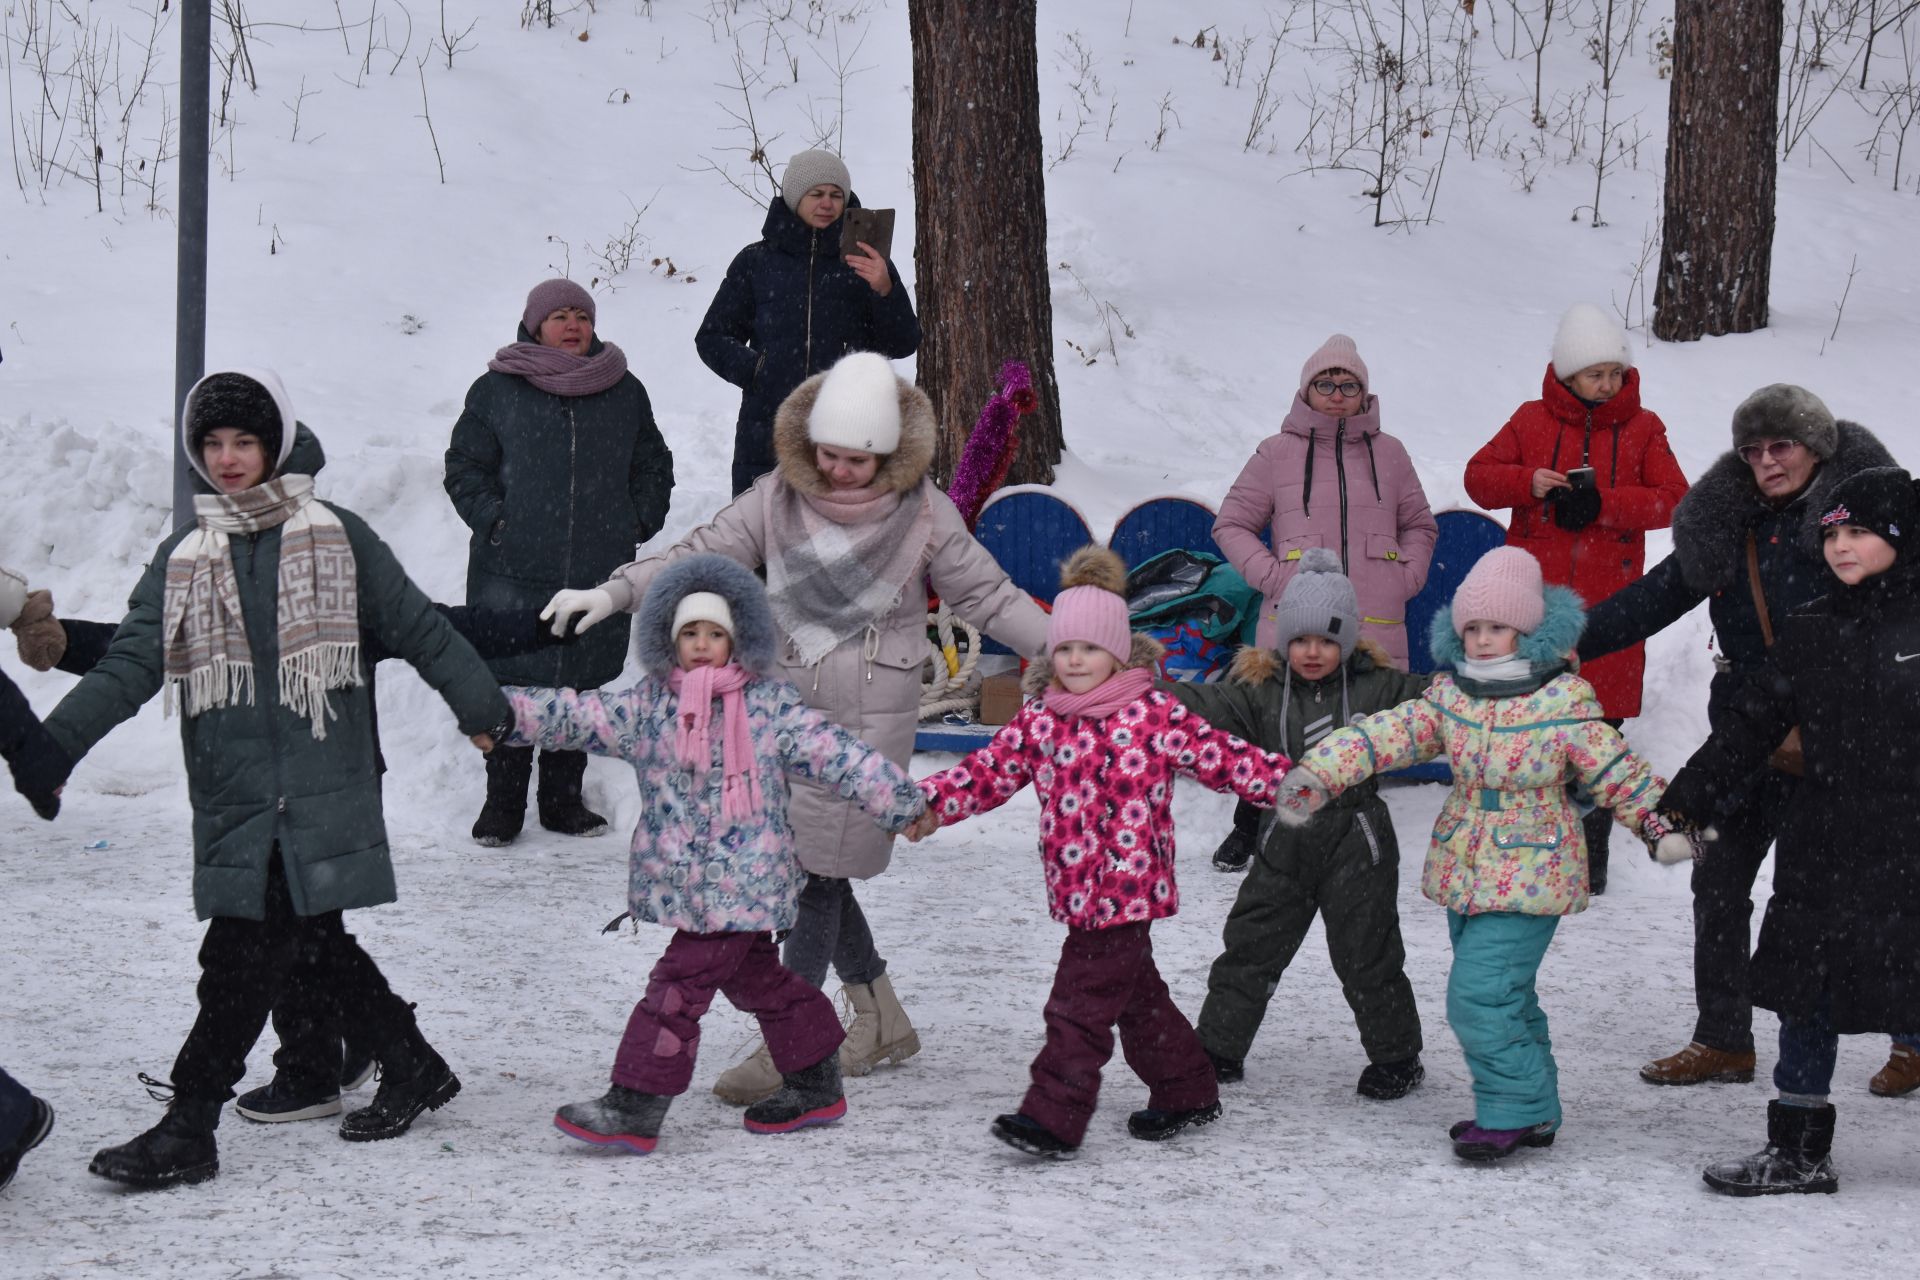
1330	479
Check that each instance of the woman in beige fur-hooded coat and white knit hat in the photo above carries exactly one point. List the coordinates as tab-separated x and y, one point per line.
850	531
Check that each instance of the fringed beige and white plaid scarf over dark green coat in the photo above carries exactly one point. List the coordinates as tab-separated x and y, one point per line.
316	596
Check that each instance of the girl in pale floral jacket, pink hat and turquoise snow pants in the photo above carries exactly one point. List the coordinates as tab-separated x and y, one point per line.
1506	859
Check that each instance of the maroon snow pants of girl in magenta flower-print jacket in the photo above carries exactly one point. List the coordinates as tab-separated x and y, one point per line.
1107	978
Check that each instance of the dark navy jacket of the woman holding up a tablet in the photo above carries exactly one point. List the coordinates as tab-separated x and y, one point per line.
788	310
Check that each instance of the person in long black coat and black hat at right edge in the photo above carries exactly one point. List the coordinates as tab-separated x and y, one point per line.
1838	951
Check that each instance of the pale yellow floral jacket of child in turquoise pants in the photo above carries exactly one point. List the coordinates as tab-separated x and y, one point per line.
1508	840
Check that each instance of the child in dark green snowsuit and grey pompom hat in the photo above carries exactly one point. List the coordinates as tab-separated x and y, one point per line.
1345	865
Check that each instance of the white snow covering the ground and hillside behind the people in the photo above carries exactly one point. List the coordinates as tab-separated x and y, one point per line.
379	293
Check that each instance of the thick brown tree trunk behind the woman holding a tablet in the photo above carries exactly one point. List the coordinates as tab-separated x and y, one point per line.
980	216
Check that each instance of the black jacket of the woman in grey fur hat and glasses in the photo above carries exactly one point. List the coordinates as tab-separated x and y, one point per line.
1710	563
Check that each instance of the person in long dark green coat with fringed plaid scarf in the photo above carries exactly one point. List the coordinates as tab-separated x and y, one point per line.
252	621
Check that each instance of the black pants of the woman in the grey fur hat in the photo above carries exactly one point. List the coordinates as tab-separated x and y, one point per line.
1723	911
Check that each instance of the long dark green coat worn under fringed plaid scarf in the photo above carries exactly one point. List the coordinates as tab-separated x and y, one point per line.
254	772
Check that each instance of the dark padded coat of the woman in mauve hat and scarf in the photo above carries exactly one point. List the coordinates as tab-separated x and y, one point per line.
558	490
